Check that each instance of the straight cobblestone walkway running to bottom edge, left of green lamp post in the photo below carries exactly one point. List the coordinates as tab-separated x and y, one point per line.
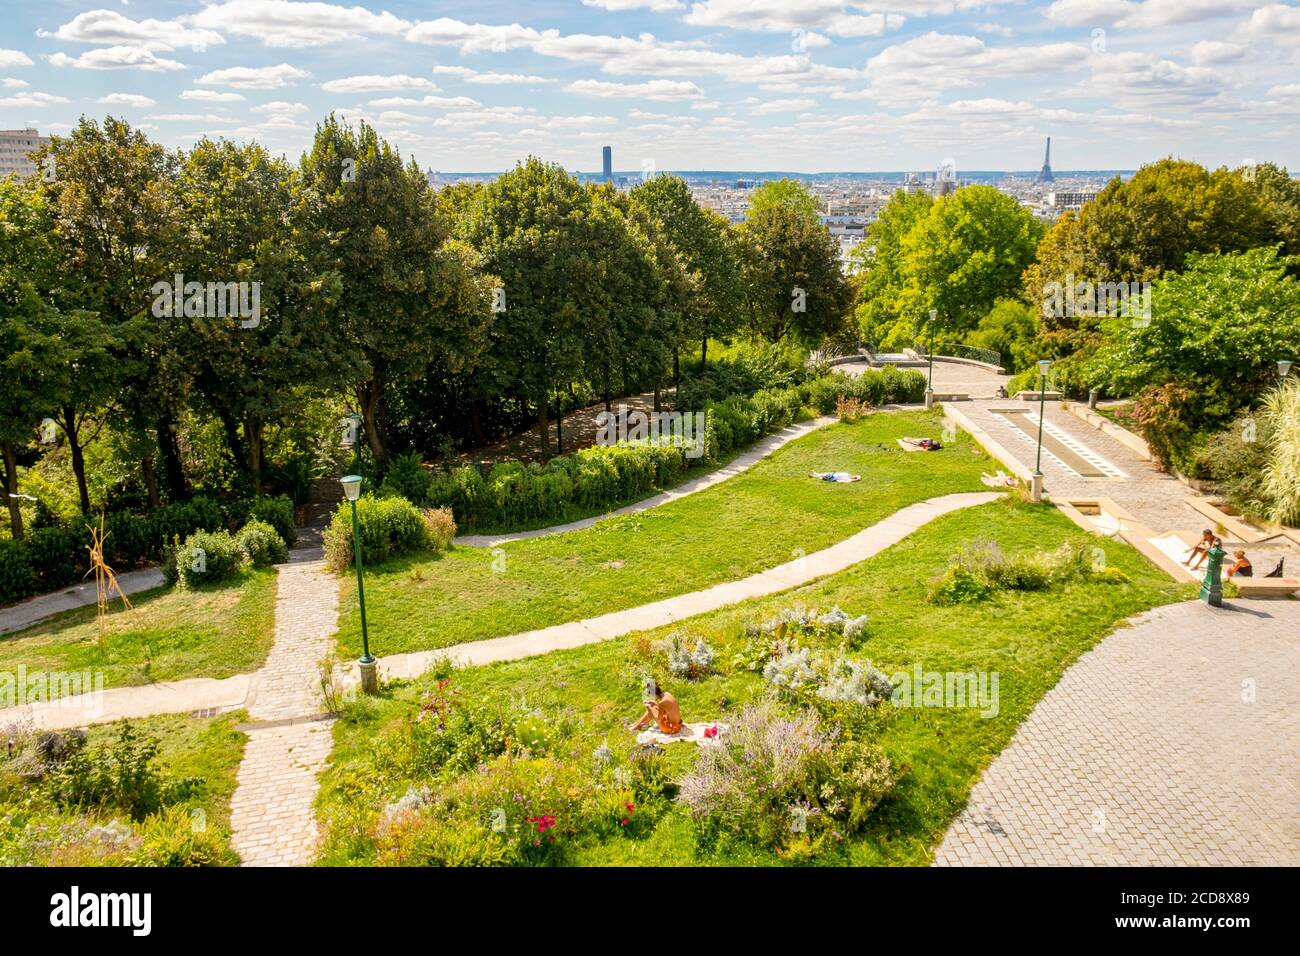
272	815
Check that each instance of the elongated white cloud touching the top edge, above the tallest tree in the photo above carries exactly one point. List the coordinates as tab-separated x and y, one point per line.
297	25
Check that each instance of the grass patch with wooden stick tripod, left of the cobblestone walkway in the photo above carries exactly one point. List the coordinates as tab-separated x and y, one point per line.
210	633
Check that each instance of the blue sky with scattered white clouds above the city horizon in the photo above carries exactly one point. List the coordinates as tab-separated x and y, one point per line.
744	85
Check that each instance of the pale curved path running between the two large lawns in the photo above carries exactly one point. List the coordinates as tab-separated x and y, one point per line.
829	561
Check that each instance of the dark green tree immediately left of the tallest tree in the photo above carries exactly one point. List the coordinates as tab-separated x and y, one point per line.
244	213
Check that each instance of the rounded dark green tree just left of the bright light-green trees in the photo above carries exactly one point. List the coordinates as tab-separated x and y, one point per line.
794	282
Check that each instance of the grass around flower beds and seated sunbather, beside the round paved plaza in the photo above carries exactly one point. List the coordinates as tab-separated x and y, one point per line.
1029	638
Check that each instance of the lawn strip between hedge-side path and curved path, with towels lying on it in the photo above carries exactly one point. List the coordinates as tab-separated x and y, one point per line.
765	517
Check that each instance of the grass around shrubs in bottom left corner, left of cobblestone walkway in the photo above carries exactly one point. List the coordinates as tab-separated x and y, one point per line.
193	828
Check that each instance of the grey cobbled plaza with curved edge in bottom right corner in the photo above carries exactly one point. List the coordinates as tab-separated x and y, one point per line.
1171	743
